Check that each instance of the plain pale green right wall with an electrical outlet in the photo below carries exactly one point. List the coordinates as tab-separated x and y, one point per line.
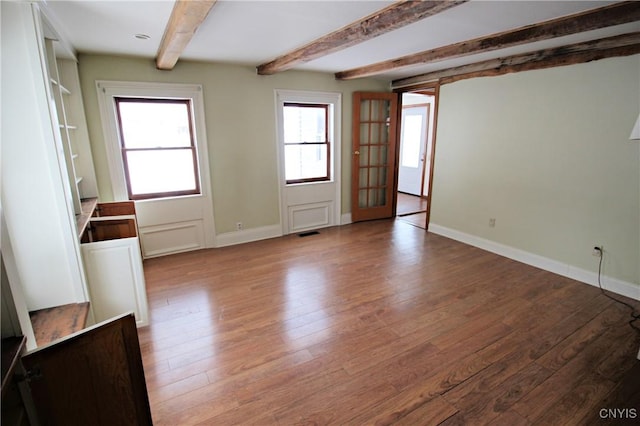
547	154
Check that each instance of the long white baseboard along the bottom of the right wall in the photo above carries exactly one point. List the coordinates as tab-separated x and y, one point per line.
614	285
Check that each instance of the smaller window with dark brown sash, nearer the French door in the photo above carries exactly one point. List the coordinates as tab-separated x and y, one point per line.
306	142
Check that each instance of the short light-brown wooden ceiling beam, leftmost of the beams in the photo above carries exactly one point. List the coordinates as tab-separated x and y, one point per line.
186	17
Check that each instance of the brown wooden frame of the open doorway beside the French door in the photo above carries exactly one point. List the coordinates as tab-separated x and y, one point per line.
433	89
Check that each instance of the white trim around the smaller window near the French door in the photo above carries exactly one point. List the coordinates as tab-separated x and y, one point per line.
334	99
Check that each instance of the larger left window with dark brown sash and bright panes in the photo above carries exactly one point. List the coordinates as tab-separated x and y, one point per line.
158	147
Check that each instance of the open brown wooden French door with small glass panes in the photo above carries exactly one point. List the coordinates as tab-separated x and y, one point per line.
374	151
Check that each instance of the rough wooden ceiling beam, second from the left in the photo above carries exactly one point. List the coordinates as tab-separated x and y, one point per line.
395	16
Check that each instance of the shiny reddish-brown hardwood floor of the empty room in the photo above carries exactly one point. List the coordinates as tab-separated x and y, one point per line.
379	323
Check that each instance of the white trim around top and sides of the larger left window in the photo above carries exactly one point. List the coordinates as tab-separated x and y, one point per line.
108	90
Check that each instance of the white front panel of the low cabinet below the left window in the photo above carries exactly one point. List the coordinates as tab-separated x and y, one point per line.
115	278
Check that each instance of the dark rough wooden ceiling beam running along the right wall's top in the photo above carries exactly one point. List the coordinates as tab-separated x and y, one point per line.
621	45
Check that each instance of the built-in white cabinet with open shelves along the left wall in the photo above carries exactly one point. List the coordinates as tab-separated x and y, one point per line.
47	172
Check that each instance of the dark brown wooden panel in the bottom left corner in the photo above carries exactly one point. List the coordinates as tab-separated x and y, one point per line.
93	377
